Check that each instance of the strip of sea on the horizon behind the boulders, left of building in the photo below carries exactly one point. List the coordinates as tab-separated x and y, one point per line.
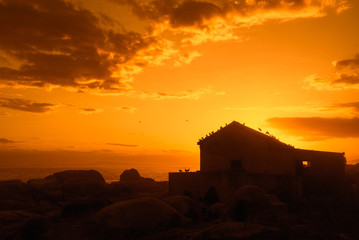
110	174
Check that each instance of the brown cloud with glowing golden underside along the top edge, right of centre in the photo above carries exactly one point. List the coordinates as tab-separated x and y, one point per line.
217	20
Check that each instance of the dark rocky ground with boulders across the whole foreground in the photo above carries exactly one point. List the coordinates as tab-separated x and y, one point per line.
79	204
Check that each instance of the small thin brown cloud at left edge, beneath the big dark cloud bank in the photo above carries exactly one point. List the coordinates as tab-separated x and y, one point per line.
26	105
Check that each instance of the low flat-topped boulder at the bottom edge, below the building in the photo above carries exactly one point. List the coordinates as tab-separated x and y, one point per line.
233	231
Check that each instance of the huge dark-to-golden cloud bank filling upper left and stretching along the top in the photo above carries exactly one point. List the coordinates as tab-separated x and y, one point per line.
59	44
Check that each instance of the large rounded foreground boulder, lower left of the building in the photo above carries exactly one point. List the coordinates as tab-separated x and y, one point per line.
133	218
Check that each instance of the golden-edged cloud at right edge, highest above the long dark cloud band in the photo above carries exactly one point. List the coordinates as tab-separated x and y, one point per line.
346	76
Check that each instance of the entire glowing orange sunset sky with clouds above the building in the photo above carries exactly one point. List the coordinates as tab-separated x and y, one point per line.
151	77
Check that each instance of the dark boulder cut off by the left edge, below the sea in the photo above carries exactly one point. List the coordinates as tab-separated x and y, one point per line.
14	194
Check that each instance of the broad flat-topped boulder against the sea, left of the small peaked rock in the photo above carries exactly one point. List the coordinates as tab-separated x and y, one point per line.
80	183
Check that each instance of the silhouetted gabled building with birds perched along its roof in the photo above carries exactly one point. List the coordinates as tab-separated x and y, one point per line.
237	155
